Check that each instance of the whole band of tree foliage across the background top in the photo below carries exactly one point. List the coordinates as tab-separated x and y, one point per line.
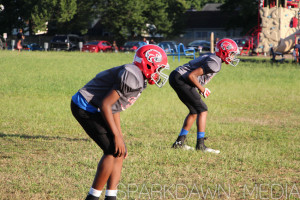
123	19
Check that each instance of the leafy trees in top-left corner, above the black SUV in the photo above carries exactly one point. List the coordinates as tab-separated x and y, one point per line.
56	16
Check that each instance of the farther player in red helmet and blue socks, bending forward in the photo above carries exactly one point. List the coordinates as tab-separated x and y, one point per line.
189	80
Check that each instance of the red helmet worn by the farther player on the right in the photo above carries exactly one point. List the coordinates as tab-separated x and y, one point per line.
227	50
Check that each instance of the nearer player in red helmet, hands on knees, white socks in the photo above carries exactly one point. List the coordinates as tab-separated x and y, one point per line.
97	106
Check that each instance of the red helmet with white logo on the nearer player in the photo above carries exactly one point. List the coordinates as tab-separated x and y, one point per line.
152	60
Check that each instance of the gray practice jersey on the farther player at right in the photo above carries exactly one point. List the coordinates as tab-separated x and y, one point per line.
211	64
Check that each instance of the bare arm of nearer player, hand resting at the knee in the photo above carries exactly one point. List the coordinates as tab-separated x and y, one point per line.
106	105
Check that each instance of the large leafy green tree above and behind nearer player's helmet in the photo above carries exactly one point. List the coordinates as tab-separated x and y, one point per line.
130	18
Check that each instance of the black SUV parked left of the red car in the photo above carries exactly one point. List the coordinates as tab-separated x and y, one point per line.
68	42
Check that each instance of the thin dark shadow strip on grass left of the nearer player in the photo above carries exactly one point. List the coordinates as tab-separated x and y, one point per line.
44	137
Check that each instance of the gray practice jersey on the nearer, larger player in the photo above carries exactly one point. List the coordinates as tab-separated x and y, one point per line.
127	80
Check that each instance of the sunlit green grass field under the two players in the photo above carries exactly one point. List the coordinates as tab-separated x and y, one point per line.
254	119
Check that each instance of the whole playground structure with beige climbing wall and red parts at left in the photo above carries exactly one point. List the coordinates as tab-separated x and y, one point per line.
277	29
